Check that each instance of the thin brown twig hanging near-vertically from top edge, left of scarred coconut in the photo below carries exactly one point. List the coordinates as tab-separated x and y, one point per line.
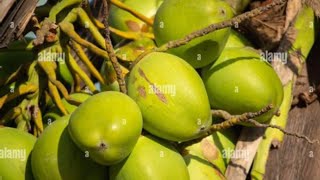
110	50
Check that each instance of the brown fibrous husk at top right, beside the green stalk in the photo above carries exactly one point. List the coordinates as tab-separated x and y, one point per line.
267	30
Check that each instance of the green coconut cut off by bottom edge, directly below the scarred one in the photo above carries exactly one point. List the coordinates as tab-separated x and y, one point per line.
151	158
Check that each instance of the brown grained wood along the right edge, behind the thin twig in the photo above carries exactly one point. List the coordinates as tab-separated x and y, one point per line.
296	159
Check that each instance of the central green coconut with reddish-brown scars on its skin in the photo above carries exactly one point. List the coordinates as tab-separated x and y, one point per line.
171	96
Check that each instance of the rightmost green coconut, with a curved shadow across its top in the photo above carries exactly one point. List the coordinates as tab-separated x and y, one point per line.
242	81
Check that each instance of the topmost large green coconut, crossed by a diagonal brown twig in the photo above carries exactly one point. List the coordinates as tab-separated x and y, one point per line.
177	18
